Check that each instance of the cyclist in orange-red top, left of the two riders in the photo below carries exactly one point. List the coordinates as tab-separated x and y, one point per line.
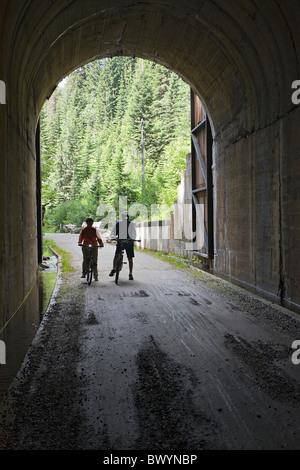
90	236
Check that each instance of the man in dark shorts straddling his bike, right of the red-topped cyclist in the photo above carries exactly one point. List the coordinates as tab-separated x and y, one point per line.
124	230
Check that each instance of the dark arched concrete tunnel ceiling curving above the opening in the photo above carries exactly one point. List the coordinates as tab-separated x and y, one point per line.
236	55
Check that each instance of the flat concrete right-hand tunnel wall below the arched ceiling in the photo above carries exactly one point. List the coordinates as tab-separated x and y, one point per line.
256	211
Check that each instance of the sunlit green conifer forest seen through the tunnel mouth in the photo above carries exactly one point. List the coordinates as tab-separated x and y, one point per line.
91	139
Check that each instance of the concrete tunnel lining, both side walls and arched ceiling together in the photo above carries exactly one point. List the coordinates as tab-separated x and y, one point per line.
241	58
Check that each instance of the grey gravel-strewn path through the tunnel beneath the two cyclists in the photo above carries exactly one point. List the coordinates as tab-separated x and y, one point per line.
175	359
